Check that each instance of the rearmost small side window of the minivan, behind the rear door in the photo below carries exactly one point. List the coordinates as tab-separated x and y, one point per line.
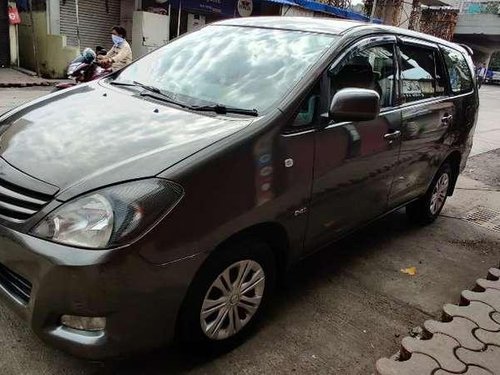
458	71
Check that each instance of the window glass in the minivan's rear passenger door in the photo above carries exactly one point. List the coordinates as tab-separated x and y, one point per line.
421	73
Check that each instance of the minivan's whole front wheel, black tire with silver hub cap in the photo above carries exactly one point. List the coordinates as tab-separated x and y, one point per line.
227	296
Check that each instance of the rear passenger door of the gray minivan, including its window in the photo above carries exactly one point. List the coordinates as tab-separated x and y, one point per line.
427	114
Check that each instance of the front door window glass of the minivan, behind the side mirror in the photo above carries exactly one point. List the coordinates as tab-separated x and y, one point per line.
370	68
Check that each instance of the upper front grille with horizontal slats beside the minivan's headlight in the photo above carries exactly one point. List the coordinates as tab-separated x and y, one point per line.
18	203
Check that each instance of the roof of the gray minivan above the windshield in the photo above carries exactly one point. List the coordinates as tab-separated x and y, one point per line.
332	26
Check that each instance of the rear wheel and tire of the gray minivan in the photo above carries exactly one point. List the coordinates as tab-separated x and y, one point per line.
426	209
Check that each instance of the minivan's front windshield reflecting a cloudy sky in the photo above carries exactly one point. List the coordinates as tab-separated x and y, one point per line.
238	67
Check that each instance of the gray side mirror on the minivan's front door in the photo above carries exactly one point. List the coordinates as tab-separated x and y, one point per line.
353	104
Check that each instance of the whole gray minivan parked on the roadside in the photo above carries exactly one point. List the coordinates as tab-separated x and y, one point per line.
165	200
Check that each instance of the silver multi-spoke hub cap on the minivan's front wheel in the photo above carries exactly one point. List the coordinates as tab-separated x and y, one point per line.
232	300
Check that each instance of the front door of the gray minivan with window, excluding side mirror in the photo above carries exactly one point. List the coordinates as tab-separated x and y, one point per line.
355	162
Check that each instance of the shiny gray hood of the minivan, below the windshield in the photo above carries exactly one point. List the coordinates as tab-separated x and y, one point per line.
92	136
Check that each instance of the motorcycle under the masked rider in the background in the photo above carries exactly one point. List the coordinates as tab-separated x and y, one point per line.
85	68
